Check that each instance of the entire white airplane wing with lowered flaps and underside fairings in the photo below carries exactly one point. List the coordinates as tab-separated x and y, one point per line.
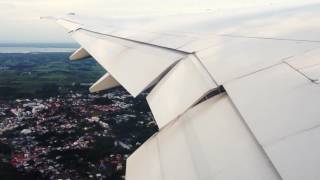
235	95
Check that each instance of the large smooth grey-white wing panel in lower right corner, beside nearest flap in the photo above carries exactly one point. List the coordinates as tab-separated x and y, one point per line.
280	106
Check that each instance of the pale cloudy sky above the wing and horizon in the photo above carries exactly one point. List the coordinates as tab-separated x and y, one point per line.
20	19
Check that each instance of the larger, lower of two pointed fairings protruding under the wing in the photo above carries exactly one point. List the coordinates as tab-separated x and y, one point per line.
104	83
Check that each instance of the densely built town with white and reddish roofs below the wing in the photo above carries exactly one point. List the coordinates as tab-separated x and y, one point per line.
75	136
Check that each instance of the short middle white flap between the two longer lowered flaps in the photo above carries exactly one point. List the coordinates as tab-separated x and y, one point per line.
181	88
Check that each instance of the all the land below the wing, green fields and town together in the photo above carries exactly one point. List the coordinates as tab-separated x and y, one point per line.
51	127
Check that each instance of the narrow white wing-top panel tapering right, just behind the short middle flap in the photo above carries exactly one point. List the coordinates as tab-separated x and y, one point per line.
243	56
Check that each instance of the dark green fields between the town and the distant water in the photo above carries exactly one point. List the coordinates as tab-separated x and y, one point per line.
43	74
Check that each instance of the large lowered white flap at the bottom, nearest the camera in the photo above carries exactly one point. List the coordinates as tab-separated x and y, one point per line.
210	141
